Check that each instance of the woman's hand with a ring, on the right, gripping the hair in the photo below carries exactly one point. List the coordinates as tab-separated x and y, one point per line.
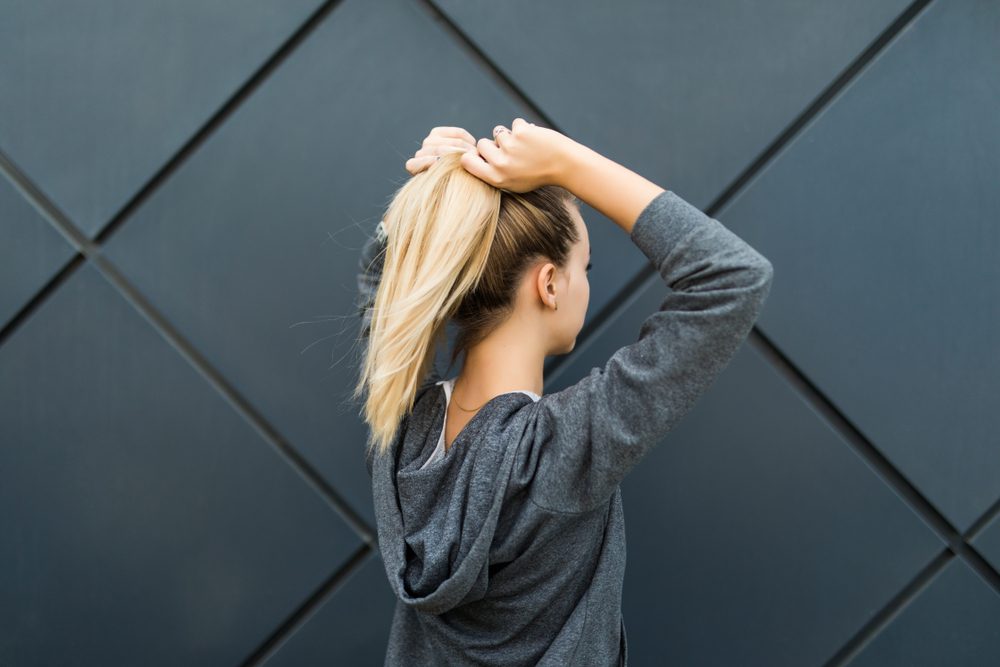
523	159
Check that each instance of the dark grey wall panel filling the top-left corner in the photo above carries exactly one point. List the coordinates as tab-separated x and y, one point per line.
98	95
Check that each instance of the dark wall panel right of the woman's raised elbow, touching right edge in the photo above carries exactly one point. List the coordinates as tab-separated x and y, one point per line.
881	222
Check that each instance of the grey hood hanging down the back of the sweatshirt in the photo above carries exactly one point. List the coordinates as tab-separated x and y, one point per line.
436	525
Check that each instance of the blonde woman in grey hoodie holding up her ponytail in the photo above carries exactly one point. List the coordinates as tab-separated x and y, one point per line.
498	507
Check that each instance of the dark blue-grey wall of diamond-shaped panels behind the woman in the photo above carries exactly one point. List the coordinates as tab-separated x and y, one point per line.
185	187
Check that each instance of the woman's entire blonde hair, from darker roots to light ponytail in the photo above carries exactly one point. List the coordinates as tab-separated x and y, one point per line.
457	249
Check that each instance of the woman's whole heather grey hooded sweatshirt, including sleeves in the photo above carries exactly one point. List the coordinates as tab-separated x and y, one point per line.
510	548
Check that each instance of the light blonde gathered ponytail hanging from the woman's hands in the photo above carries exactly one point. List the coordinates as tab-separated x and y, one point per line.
440	227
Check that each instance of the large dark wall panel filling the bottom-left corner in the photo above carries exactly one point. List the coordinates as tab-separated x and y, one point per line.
145	522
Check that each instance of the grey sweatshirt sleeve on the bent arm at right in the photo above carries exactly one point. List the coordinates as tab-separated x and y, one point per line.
587	437
